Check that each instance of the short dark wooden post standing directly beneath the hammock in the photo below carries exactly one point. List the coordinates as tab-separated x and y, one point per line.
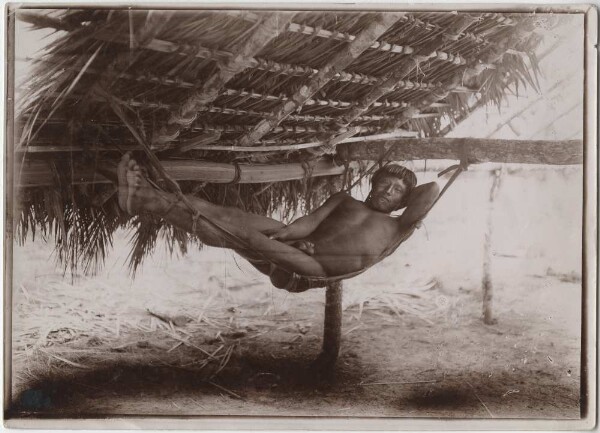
332	332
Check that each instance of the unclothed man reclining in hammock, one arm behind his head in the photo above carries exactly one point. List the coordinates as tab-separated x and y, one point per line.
341	238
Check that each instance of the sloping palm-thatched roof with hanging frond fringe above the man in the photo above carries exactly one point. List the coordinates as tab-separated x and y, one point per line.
240	88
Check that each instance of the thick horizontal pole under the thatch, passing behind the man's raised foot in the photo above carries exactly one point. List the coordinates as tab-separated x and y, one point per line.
39	173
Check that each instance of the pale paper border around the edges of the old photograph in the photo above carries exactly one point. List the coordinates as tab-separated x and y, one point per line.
589	245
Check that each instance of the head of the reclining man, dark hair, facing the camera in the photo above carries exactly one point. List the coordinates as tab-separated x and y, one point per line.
391	186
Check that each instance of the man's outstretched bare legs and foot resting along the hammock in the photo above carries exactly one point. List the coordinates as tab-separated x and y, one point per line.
220	228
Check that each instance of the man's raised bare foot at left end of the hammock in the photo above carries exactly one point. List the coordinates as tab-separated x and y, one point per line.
135	193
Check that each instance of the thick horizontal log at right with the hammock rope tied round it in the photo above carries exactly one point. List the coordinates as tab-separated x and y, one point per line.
565	152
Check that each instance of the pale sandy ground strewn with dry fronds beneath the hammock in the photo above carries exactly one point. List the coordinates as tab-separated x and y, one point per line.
207	335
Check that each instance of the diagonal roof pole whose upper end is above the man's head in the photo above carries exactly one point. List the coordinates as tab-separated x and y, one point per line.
339	62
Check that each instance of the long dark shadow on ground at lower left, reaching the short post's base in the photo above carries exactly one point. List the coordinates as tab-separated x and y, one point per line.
73	393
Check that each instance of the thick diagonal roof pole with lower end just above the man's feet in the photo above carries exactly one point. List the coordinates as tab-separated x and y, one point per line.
270	27
